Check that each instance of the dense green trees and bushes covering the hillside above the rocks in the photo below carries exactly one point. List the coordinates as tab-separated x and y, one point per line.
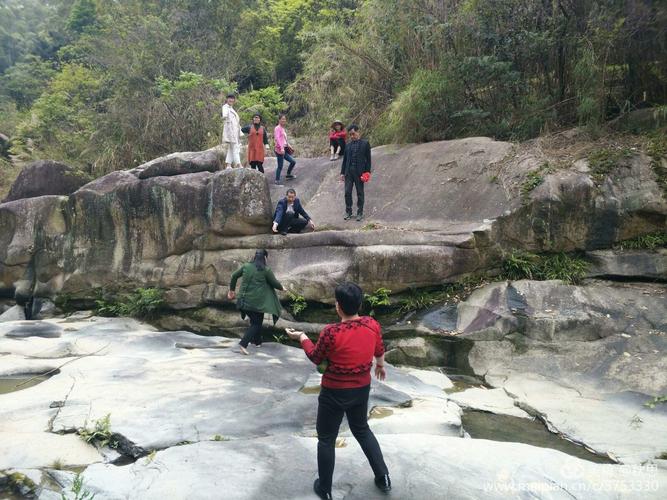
106	85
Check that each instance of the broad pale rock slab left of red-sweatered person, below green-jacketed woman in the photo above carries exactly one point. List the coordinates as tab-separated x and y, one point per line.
159	388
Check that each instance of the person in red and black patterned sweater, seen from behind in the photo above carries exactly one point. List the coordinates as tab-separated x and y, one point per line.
348	348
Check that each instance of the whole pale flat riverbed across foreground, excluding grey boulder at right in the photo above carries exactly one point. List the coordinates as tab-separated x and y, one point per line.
189	417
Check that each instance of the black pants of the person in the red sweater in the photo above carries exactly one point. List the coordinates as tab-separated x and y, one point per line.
353	403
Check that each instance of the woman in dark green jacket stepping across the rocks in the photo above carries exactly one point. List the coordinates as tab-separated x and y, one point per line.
256	296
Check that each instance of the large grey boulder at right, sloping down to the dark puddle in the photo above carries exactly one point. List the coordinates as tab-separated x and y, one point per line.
584	359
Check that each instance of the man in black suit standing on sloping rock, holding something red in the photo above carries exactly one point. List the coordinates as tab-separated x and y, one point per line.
355	170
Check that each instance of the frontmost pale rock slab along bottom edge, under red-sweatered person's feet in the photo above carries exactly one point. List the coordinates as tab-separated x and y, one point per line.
421	467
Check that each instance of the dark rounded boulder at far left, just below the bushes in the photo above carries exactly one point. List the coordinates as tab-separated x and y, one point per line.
46	177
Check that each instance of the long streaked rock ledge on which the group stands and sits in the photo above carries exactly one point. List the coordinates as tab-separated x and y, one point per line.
179	224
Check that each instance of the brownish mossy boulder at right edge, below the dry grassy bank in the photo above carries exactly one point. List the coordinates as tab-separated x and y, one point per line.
571	211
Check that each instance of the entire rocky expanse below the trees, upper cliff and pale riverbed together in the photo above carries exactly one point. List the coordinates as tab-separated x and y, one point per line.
517	388
